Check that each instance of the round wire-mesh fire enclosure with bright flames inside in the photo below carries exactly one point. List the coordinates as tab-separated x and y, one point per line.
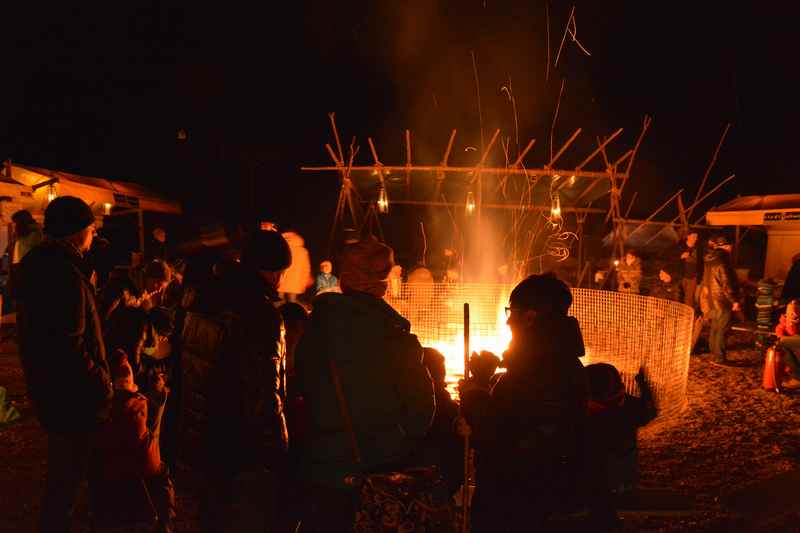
626	330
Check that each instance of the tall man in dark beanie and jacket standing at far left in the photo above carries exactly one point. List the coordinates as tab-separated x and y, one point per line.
62	352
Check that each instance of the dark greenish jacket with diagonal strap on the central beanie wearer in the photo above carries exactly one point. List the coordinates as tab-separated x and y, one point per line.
388	391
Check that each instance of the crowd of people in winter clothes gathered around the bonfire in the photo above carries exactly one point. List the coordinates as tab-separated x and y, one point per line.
197	362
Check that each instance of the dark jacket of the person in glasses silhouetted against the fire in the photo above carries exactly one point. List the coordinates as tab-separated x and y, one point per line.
536	411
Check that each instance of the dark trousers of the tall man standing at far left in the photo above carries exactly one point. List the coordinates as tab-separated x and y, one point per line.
67	460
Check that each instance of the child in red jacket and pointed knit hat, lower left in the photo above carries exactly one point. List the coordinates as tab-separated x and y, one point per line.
128	481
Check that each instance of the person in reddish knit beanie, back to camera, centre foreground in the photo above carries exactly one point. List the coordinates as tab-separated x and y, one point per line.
369	400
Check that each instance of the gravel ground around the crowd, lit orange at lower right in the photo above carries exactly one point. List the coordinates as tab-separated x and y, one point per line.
732	435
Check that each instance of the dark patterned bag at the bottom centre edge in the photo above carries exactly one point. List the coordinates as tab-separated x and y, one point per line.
415	500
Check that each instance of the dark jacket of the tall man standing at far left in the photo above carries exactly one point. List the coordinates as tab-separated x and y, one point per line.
60	342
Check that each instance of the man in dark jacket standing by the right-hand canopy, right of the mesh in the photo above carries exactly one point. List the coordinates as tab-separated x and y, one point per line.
718	294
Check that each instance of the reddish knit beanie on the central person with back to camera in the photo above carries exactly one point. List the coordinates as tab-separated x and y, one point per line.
364	267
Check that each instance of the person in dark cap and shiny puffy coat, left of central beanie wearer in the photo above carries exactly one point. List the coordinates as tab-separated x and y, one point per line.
233	427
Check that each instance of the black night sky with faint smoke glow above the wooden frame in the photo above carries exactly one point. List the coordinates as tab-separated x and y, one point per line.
102	90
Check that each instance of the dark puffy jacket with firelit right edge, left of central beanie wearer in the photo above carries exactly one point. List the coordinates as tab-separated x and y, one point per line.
231	387
